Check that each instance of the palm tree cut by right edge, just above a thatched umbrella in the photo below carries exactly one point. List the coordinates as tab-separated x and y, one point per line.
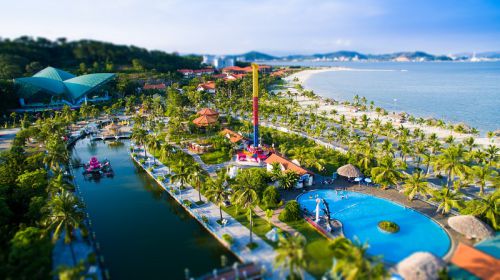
485	207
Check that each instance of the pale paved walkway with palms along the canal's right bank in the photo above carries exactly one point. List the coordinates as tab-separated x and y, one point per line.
264	254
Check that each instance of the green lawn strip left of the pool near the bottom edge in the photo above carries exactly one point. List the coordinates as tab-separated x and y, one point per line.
318	255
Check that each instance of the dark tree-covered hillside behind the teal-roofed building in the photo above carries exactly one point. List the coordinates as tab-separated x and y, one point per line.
26	55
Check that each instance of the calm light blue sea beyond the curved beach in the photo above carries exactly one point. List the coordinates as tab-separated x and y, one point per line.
454	91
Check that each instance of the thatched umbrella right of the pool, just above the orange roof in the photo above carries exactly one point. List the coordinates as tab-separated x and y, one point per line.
471	227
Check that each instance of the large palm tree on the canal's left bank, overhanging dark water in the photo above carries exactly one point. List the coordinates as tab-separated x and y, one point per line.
64	215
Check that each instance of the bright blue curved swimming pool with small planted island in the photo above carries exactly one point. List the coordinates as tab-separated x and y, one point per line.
360	214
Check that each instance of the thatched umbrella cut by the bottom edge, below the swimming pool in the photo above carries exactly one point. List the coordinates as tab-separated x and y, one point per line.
420	266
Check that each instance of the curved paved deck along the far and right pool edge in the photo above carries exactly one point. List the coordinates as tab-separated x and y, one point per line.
397	197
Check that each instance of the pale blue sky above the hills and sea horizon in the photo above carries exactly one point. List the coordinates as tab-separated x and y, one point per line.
278	27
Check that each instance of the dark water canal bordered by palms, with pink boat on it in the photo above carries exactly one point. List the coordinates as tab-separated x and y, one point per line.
143	233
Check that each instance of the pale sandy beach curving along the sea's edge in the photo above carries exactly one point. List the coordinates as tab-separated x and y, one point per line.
349	112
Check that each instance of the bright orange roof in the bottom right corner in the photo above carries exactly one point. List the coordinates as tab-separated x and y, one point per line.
476	262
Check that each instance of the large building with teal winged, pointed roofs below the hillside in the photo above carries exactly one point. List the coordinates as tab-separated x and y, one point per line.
56	88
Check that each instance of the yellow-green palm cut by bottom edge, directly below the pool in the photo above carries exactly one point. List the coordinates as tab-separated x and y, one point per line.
351	261
